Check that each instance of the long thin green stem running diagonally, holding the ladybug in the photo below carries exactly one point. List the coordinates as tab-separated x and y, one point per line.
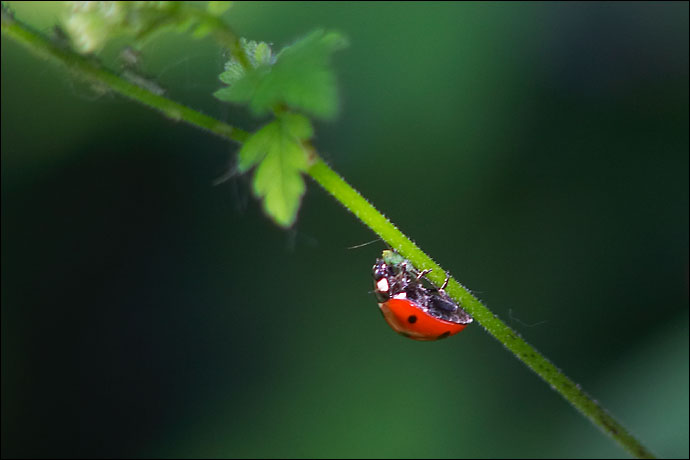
363	210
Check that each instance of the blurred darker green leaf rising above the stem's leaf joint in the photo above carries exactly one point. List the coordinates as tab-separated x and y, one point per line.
300	77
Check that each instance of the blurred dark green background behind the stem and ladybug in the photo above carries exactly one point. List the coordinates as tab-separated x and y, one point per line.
537	151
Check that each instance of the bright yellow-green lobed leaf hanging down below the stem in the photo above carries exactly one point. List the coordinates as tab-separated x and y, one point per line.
277	149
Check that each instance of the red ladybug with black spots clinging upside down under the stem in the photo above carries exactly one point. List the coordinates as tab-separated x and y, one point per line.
411	307
